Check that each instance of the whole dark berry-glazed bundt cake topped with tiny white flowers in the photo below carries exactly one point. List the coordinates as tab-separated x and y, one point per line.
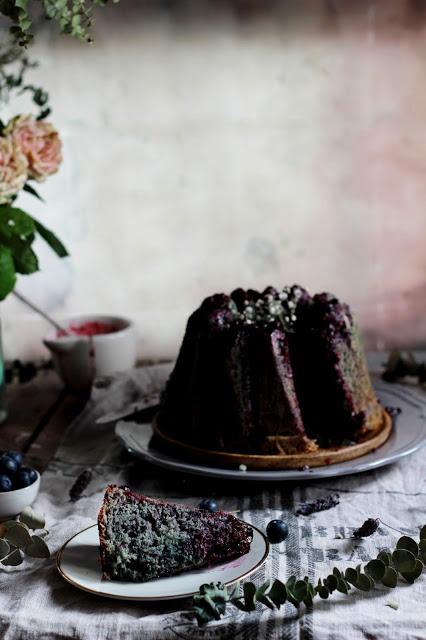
270	373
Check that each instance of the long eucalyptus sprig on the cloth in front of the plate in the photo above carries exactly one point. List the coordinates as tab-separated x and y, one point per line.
407	560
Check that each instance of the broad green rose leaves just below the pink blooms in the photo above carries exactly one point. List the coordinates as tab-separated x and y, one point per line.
18	231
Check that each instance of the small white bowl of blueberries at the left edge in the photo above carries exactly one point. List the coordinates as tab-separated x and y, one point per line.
19	484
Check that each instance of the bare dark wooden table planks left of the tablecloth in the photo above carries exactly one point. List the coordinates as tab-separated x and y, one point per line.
39	411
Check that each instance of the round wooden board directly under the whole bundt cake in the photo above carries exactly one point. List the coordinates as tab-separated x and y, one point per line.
318	458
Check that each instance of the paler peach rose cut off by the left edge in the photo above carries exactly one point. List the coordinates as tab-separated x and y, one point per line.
13	169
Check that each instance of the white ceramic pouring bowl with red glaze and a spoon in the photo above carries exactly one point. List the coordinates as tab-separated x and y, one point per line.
79	359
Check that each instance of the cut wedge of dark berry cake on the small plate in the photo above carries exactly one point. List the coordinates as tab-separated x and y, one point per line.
142	538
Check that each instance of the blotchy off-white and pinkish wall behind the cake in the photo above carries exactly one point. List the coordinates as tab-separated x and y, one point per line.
216	144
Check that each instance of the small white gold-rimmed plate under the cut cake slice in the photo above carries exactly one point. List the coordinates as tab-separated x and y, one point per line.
78	562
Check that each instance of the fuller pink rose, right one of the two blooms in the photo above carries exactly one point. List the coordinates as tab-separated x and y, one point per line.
39	142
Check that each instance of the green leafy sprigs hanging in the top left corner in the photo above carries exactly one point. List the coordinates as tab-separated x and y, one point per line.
73	17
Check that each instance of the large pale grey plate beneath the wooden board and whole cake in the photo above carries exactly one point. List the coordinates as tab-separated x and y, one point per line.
408	435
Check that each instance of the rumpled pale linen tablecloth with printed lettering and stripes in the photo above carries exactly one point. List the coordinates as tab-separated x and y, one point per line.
36	603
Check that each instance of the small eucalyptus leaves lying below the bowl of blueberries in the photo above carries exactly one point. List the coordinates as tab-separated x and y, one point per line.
18	539
